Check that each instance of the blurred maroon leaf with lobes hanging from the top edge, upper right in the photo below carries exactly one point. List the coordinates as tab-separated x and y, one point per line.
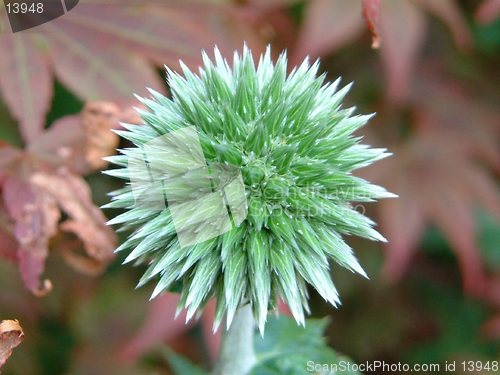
329	25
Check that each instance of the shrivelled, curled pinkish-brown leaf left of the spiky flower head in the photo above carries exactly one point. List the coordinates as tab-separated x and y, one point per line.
44	179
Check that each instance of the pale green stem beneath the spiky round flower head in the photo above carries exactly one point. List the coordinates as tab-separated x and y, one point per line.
237	356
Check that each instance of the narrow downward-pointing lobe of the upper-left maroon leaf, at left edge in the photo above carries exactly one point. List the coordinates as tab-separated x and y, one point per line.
25	82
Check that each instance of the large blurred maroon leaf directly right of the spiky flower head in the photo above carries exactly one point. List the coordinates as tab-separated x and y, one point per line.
438	178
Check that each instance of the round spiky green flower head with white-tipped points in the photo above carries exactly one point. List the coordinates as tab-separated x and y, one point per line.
240	183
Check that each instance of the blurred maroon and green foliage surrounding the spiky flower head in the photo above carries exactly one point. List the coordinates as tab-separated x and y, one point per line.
434	290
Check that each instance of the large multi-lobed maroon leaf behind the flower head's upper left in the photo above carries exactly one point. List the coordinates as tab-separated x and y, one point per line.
103	49
